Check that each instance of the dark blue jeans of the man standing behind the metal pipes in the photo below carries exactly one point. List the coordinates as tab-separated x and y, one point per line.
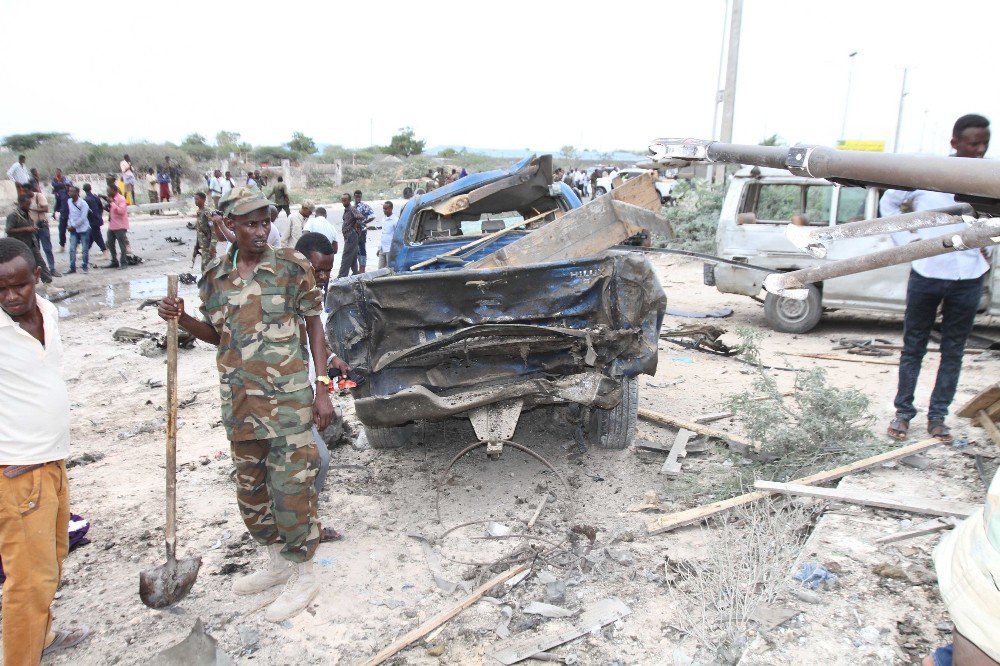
958	300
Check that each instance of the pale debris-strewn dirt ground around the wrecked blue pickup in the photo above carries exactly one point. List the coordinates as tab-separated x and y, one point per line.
377	583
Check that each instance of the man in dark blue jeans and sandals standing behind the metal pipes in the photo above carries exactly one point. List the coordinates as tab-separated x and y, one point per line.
952	281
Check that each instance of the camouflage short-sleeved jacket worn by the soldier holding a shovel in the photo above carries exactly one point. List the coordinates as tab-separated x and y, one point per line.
263	369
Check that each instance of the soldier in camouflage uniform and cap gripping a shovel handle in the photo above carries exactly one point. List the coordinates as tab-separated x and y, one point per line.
253	299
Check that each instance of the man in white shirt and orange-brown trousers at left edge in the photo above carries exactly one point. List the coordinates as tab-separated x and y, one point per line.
34	444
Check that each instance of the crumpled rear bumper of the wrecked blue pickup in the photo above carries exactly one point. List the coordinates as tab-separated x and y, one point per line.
418	403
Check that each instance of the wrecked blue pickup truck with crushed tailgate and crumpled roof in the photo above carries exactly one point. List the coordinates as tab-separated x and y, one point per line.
434	340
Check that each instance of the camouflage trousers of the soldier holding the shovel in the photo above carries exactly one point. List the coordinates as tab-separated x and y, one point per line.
276	493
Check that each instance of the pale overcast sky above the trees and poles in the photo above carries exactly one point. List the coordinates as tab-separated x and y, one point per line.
514	74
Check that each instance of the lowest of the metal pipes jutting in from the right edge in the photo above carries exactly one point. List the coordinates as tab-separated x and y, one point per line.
791	285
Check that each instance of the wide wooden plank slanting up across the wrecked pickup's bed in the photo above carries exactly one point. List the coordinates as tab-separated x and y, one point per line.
582	232
